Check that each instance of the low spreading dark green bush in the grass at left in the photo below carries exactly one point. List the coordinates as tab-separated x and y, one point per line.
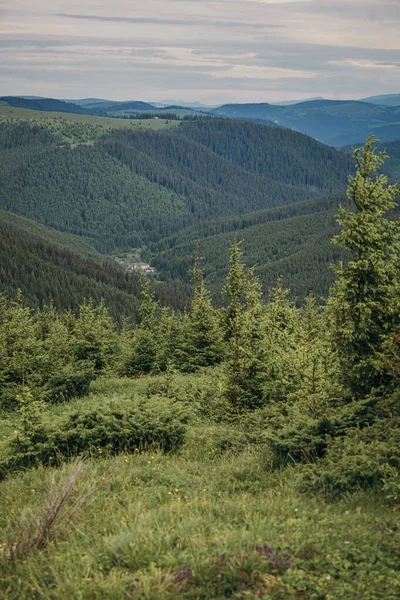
107	428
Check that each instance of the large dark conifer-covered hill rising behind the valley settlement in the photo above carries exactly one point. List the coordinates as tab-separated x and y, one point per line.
129	188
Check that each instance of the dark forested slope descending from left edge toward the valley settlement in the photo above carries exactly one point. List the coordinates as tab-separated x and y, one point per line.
49	266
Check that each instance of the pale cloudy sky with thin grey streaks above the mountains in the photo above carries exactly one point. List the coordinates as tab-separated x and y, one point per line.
209	51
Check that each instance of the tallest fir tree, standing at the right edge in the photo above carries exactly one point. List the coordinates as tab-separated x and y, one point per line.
366	297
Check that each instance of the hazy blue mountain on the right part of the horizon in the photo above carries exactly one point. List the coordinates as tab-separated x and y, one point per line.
332	122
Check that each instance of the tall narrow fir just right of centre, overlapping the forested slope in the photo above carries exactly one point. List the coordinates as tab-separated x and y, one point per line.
245	365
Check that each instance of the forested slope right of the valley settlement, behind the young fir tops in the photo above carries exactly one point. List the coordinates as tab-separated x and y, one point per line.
291	241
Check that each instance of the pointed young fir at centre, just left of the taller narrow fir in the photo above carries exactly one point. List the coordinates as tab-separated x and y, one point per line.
201	337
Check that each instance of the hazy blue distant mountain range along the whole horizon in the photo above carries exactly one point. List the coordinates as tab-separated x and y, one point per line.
333	122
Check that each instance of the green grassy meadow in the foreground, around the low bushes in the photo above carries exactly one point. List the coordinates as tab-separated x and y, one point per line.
210	521
